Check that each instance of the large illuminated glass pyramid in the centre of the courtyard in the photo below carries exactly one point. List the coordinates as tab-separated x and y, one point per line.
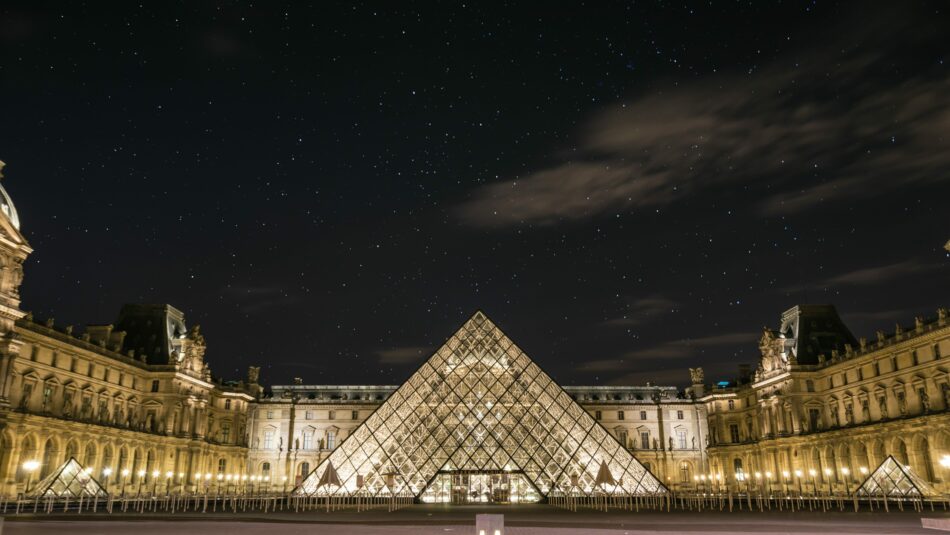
480	407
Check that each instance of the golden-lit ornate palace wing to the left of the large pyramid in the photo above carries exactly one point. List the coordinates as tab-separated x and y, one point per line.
129	400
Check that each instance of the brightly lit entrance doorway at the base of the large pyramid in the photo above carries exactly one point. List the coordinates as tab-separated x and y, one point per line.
480	487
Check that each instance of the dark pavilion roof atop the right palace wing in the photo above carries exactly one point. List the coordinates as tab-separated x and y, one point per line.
816	330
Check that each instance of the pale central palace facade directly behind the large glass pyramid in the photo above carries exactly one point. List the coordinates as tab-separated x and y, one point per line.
295	428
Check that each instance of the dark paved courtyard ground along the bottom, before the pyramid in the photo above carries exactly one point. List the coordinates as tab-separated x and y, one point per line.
521	520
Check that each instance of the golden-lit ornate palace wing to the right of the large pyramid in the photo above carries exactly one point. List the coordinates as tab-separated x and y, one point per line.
823	407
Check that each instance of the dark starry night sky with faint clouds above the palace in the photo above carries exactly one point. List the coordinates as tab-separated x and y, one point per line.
628	189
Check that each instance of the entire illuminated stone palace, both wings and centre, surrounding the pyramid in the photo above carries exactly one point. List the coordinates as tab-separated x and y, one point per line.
135	402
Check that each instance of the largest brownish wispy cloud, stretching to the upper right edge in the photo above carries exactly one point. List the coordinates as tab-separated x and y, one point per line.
801	133
